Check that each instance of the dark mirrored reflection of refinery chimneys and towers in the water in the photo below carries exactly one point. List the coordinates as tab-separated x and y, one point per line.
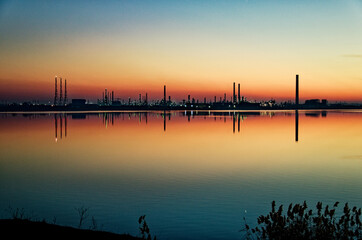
109	119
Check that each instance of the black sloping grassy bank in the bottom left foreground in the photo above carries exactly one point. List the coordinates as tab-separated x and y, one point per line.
25	229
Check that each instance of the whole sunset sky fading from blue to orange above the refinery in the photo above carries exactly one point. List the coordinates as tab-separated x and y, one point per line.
194	47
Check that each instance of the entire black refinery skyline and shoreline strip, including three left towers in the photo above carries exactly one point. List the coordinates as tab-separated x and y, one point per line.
108	102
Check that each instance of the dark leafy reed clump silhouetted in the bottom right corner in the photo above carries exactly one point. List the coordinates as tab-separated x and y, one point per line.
300	223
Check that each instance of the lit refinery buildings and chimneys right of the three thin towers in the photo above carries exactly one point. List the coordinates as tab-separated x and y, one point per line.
109	101
